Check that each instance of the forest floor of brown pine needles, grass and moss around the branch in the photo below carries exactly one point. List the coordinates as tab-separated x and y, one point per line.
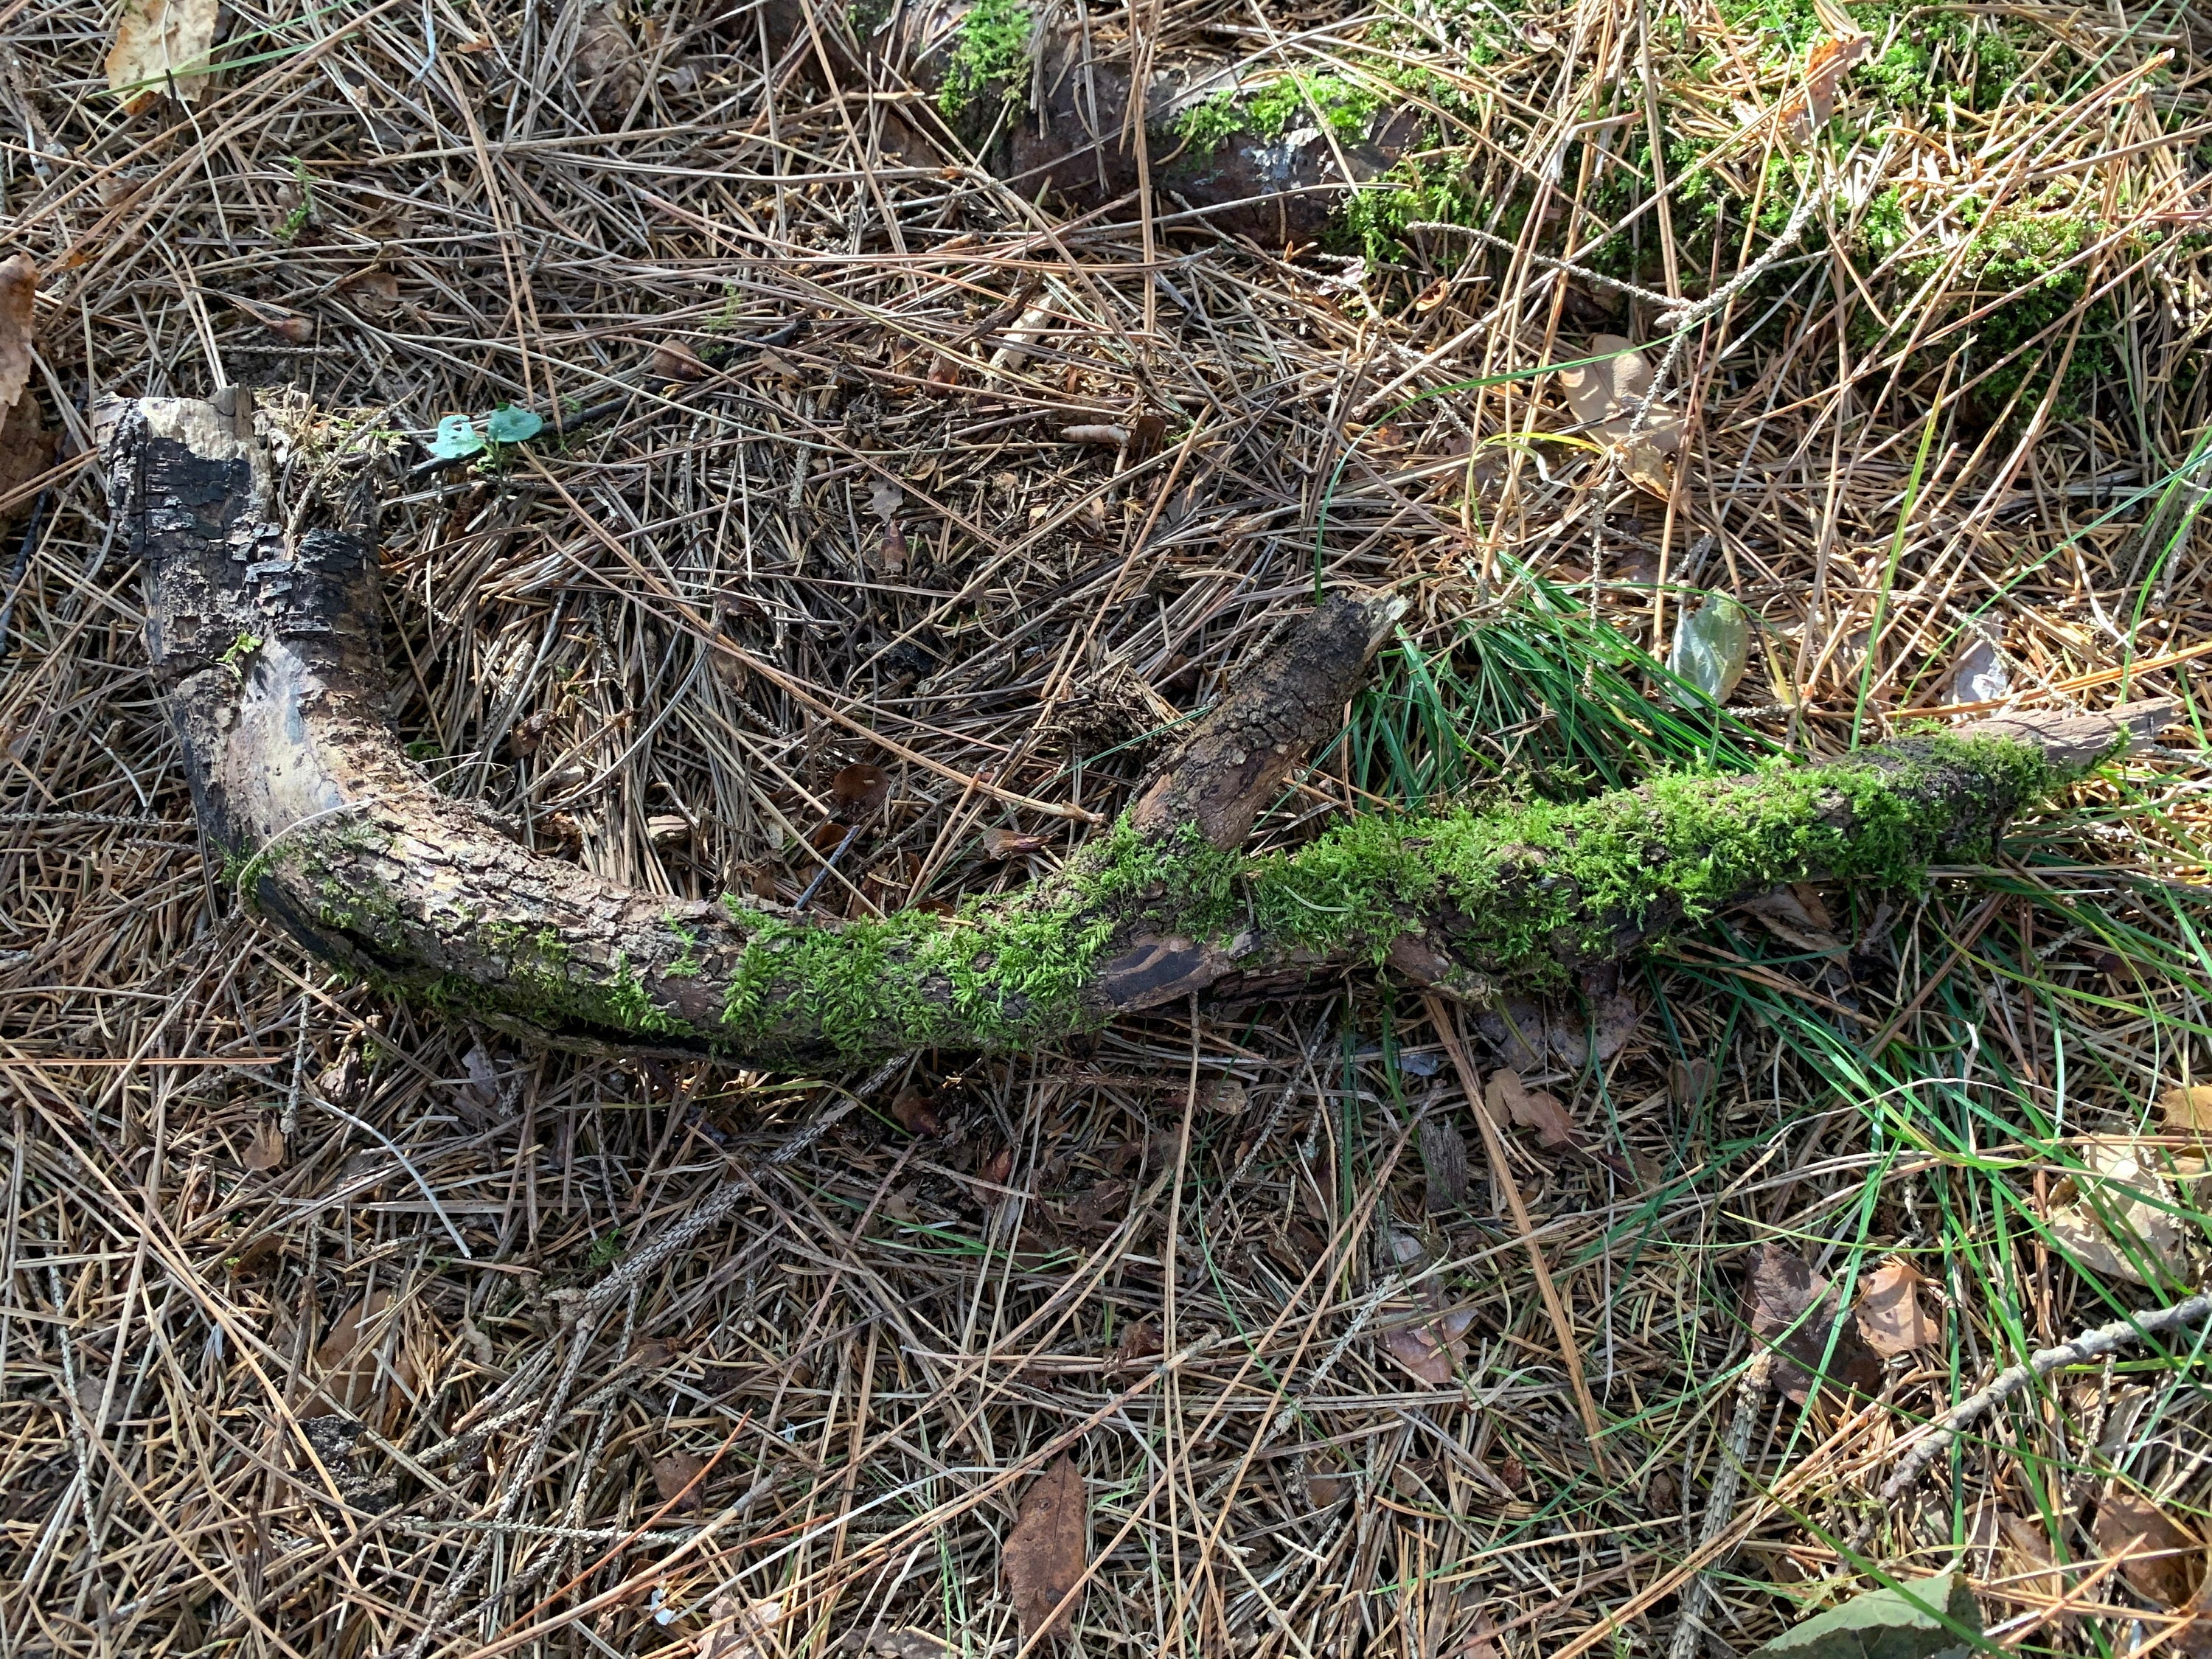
289	1326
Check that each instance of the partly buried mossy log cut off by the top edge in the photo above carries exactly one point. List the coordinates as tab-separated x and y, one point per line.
1249	147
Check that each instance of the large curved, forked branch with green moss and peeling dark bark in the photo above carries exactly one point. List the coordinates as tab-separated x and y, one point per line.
269	651
